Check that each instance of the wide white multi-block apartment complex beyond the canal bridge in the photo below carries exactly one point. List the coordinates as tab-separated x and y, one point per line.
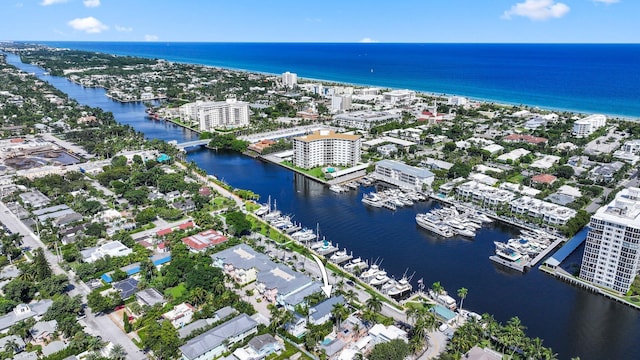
216	114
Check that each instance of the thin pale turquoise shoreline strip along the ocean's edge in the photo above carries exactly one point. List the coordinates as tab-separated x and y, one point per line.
505	103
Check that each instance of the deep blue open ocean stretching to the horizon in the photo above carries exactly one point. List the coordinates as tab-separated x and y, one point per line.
585	78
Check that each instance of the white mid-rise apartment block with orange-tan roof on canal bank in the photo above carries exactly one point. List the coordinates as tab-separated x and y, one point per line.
325	147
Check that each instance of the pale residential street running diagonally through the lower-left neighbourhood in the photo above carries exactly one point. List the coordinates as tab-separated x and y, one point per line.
100	325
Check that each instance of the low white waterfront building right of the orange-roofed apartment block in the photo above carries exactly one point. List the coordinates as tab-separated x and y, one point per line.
403	175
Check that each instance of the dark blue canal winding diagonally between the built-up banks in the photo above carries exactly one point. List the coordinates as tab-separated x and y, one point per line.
572	321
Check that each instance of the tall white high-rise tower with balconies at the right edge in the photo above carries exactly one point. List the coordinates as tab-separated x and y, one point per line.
612	250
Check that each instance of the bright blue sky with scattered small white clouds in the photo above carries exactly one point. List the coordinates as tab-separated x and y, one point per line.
519	21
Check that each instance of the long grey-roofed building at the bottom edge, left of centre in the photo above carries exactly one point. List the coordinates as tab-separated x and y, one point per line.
216	341
